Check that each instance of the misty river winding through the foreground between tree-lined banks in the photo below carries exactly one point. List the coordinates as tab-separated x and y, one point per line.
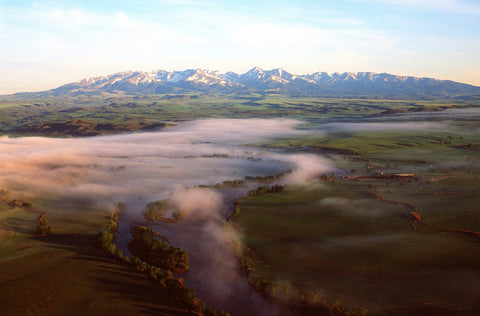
215	271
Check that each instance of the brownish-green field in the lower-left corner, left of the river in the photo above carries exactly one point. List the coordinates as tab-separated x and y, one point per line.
67	273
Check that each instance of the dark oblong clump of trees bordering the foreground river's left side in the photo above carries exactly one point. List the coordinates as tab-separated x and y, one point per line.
156	250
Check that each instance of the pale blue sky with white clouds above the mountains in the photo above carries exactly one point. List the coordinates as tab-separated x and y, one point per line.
45	44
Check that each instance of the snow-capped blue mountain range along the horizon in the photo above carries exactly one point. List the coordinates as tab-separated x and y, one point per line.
272	81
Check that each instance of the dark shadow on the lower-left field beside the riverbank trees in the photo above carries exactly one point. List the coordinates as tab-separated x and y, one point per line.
115	276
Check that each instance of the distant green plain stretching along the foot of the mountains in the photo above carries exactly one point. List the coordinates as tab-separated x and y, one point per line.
135	111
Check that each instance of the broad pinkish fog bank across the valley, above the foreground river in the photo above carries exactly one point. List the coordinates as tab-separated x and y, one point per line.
148	164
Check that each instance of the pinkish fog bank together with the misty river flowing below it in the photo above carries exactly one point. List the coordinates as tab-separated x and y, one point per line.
138	168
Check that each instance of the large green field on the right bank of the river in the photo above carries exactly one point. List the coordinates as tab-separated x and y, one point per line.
352	238
